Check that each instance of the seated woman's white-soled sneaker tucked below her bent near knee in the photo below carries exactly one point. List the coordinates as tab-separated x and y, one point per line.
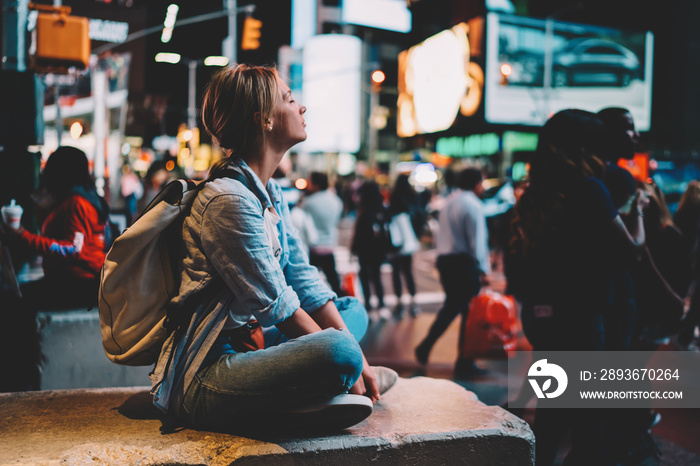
338	412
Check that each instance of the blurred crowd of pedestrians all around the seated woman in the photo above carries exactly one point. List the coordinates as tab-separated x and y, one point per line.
594	257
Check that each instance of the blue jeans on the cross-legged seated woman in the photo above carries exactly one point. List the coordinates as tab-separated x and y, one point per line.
242	389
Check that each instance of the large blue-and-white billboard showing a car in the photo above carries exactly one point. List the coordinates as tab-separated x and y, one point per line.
535	68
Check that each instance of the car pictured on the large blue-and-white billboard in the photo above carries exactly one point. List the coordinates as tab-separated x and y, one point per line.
581	62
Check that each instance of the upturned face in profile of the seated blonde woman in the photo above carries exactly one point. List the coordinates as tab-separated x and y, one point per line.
288	126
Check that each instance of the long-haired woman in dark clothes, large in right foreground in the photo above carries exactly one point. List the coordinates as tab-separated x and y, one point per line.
565	221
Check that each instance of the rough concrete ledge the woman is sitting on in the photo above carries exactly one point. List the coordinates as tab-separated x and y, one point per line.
420	421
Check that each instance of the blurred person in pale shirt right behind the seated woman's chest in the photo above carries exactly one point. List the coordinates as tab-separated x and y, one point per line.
325	208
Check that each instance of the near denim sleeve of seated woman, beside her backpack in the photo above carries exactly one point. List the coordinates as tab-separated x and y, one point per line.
233	239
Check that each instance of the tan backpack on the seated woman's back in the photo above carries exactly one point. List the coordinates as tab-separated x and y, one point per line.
140	277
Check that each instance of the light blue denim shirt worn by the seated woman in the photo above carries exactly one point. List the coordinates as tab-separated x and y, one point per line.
224	235
